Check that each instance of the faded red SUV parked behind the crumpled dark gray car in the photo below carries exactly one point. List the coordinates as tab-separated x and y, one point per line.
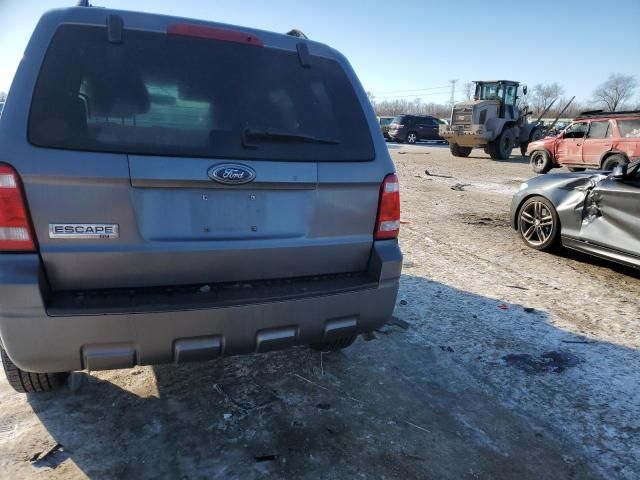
597	140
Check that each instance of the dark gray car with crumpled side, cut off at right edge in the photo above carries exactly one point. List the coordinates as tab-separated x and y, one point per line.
594	212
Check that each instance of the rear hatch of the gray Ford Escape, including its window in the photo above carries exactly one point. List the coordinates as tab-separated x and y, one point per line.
133	132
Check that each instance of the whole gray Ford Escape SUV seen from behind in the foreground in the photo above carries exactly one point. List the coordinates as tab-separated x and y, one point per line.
175	190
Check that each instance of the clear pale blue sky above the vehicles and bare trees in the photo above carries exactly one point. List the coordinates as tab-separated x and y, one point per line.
409	45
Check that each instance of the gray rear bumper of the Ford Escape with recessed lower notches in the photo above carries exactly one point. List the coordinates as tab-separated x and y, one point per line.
36	341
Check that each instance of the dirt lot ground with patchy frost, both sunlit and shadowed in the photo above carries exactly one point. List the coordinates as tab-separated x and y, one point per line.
501	362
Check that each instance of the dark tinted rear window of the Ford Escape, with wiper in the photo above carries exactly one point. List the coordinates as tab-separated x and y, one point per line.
158	94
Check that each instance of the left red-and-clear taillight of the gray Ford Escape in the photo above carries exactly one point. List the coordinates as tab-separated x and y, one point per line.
15	229
